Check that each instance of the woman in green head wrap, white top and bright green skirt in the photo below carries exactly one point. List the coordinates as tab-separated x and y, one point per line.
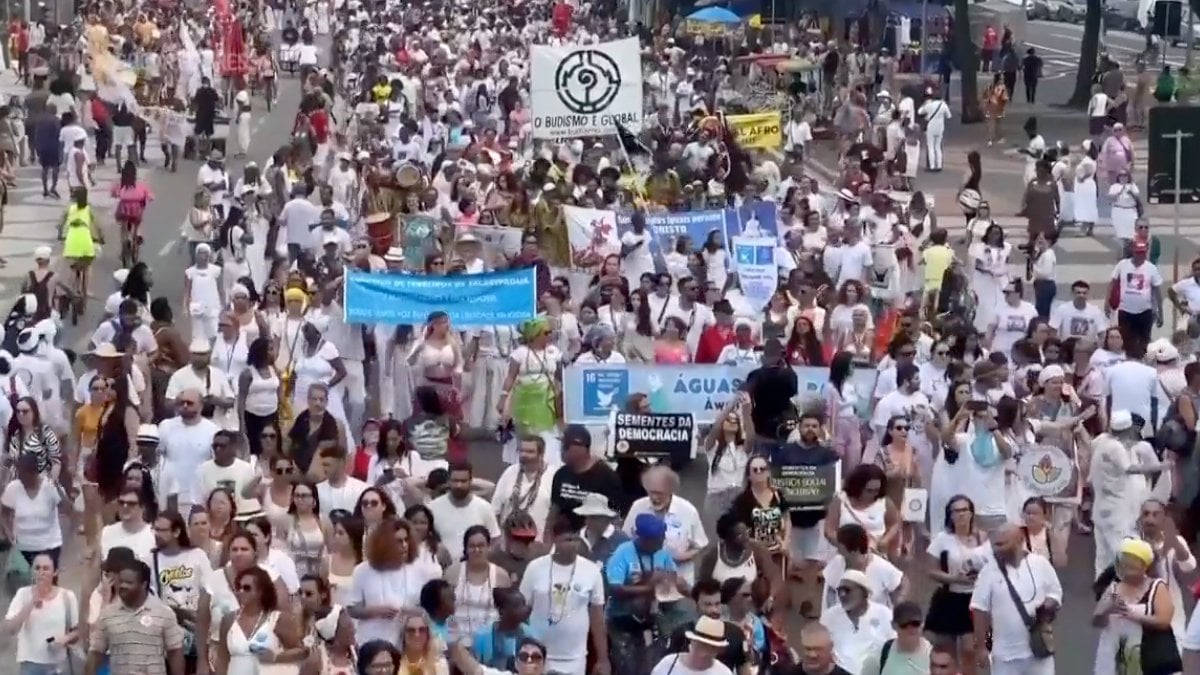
531	397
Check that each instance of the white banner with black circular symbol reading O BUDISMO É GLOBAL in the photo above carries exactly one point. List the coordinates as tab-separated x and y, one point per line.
586	89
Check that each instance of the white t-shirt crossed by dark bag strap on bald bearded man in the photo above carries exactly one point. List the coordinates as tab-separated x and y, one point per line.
1035	581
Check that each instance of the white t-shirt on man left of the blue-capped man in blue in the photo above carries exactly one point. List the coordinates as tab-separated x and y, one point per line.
560	599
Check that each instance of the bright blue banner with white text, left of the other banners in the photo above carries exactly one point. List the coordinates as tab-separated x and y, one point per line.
496	298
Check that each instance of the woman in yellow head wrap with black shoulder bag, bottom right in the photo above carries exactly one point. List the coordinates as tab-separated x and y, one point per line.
1133	612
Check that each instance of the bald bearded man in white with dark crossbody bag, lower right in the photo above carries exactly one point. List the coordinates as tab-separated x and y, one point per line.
1029	577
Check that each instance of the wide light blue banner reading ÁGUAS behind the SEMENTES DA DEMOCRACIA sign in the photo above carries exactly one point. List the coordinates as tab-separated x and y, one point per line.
592	392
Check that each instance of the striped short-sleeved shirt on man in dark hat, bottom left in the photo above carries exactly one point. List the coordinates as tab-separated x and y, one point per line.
137	640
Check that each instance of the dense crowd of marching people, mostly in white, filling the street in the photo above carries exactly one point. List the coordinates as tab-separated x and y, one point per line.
259	486
